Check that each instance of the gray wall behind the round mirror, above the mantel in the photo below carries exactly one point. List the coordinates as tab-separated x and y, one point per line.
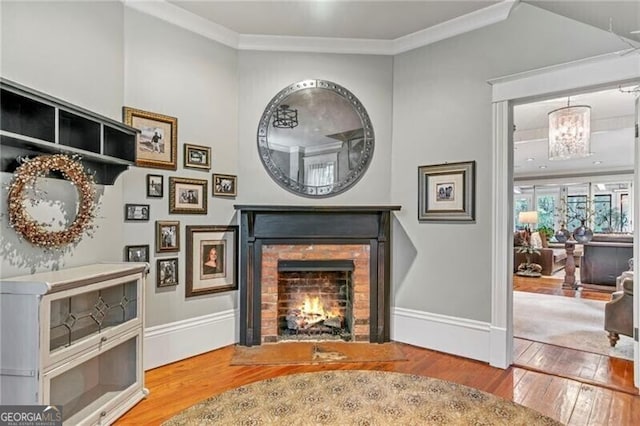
263	74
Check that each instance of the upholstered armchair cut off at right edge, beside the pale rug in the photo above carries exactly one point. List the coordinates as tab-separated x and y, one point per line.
618	313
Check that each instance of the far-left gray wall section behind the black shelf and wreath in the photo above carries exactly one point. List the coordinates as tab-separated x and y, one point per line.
73	51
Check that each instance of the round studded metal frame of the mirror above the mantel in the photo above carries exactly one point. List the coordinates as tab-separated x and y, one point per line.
293	185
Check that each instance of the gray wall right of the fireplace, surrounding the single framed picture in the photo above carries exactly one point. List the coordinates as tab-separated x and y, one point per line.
442	113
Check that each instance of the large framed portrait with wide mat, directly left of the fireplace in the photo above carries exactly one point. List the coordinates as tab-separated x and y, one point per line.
211	259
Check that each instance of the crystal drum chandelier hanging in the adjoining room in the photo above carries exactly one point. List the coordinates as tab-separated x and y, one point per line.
570	132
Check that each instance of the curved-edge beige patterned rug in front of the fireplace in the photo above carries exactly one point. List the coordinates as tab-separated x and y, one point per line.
357	398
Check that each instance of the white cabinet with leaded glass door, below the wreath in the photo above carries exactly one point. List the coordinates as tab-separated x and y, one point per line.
74	338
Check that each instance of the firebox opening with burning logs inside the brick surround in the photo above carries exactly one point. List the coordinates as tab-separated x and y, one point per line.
315	299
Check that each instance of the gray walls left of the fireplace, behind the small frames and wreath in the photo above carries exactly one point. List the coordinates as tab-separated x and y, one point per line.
102	56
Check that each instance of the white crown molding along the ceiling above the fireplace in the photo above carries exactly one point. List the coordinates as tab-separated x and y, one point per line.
194	23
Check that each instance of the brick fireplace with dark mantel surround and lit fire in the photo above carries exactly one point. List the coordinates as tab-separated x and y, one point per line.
293	256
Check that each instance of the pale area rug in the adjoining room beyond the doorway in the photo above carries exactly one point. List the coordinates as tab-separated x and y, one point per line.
566	321
